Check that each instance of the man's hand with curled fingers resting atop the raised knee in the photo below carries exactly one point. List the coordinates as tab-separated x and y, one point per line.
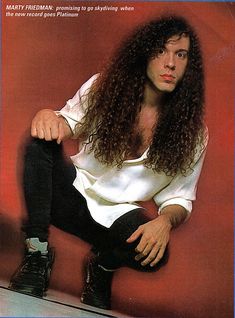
47	125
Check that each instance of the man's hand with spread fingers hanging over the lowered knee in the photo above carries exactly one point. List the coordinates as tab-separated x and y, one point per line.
155	236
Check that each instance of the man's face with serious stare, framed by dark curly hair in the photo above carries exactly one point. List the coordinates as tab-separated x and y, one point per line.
167	68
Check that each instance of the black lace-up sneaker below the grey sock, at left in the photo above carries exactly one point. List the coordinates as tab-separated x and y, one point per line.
32	276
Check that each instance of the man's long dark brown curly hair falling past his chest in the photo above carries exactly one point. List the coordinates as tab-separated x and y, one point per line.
115	99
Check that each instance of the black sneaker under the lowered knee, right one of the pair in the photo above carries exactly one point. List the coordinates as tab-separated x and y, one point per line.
97	289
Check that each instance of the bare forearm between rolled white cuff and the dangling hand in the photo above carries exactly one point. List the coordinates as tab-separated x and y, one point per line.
176	214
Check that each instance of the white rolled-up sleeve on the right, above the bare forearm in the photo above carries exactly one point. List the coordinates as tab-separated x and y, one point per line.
182	189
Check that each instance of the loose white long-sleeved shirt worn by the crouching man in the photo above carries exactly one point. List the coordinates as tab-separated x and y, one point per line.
111	191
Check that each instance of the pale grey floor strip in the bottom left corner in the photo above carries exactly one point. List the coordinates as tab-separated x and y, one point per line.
13	304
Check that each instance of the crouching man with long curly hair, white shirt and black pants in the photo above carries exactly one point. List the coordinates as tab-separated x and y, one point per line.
142	136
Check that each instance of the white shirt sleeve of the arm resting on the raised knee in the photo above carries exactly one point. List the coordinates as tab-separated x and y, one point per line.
74	110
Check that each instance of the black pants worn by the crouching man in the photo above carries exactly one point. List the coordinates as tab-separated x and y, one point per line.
52	199
